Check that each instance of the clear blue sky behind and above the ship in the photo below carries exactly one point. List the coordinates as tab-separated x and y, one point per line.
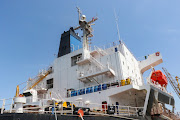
30	33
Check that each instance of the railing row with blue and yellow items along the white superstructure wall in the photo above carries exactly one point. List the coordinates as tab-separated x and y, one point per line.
97	88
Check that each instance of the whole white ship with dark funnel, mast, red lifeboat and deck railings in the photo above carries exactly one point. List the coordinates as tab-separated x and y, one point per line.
94	82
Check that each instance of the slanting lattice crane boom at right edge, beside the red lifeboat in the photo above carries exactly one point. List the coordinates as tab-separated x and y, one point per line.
172	82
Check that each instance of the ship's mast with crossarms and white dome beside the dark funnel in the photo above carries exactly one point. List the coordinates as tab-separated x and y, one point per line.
86	28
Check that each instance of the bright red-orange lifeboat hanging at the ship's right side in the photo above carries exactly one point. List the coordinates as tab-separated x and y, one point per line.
158	76
